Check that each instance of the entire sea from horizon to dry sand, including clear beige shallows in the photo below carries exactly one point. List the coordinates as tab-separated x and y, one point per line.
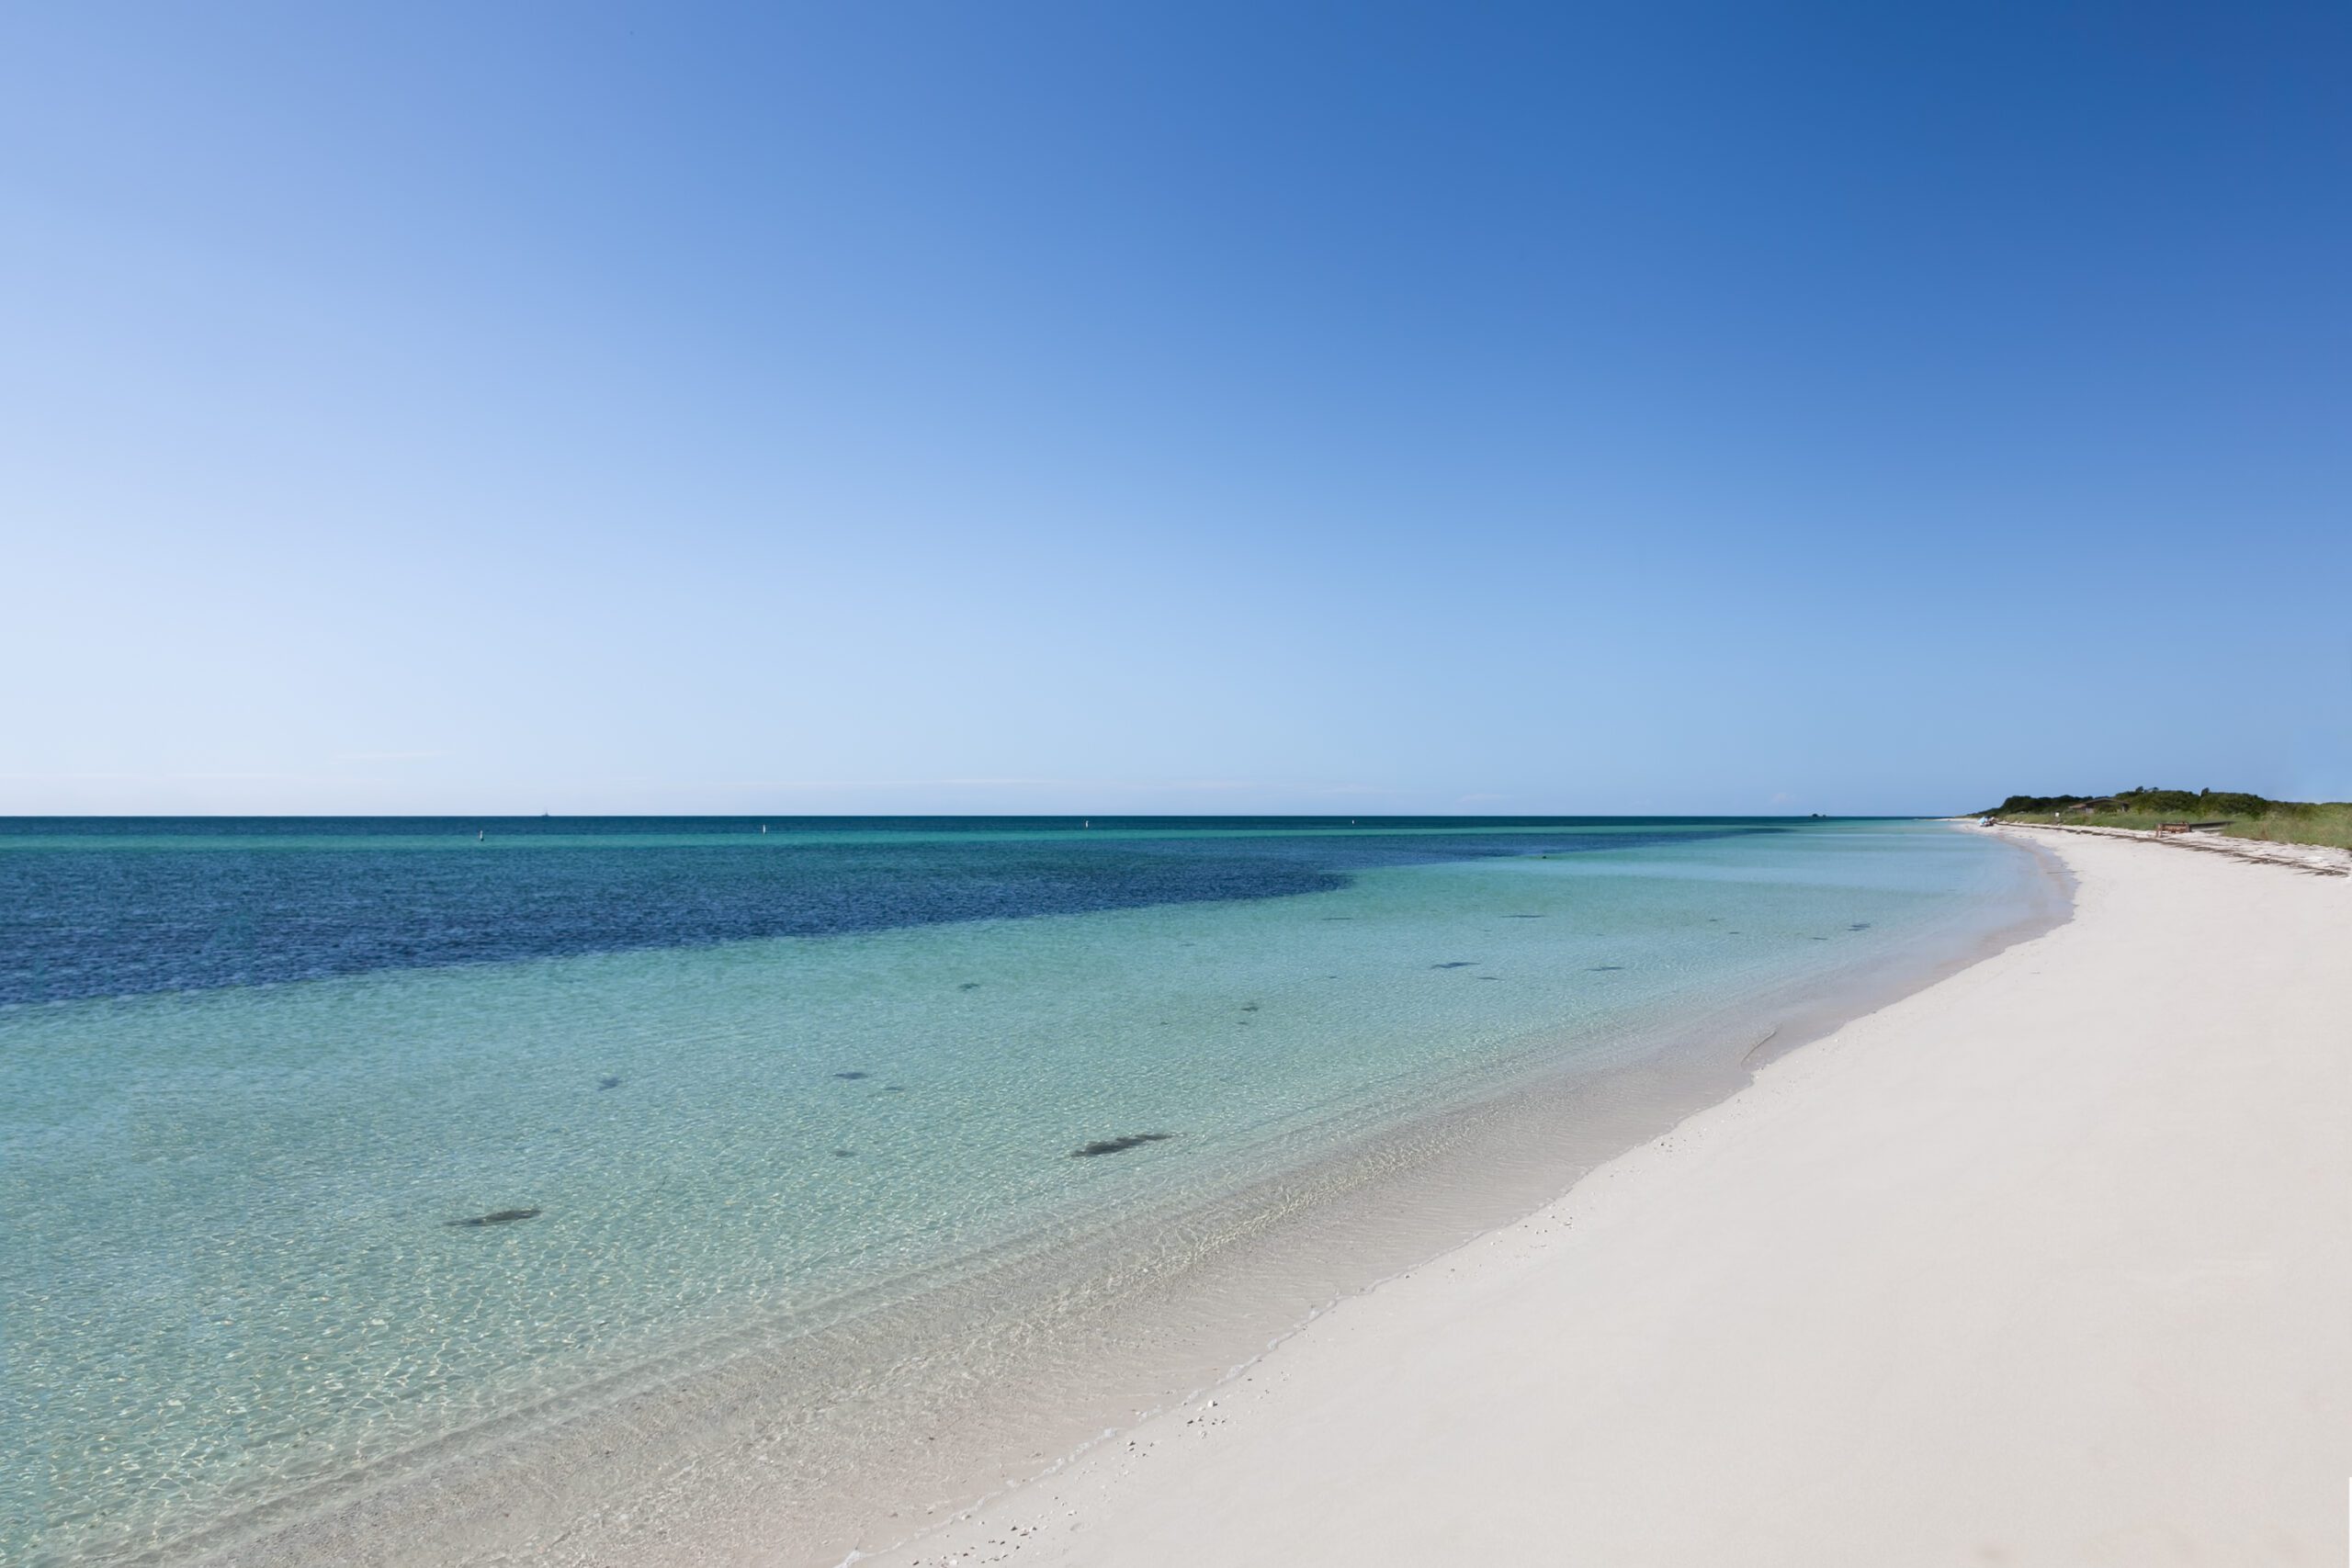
370	1160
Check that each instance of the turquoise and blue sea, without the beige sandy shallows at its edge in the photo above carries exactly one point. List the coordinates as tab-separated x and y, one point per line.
234	1212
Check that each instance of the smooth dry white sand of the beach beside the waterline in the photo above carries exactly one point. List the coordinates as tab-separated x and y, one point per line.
2050	1264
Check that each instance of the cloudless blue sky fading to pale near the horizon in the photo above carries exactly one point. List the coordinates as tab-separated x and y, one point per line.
1172	408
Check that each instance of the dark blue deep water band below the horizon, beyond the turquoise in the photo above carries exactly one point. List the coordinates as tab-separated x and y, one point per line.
126	906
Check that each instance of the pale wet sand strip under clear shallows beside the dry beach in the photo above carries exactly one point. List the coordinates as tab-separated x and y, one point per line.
794	1449
